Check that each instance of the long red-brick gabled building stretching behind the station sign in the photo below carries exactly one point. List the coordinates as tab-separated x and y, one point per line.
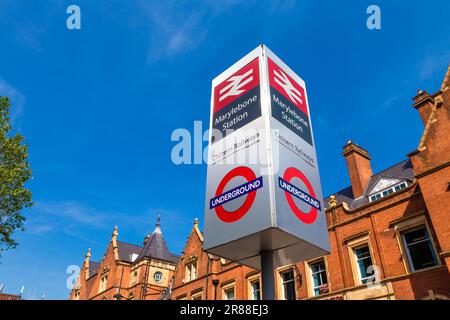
389	234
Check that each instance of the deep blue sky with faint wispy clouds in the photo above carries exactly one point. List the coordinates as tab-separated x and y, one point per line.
98	105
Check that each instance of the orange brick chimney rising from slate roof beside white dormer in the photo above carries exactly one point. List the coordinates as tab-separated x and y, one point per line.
359	169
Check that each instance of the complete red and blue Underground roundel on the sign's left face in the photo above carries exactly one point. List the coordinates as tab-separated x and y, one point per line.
227	191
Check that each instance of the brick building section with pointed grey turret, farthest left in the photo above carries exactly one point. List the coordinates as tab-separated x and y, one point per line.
121	272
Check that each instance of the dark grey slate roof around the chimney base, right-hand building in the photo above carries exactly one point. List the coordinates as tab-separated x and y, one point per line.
402	170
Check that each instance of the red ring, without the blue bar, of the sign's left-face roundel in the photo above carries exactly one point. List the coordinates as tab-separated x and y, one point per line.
232	216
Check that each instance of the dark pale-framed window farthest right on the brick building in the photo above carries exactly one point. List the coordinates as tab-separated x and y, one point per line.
419	249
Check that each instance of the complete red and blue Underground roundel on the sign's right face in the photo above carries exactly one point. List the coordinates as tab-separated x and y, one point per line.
307	196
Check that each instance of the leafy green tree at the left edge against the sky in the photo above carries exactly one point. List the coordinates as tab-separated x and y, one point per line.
14	173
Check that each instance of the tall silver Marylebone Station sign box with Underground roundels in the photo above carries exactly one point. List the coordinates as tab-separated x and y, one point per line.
259	106
